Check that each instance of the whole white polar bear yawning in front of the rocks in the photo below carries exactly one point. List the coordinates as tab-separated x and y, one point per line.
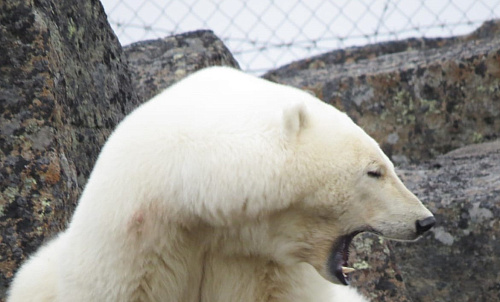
225	187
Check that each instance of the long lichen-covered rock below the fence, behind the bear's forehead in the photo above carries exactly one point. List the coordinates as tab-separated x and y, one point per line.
419	97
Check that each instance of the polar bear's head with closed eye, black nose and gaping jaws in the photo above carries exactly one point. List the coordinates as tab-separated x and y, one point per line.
354	189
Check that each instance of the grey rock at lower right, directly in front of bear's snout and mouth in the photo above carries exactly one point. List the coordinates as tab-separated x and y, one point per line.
458	260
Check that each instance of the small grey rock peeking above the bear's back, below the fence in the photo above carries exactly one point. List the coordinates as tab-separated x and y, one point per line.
157	64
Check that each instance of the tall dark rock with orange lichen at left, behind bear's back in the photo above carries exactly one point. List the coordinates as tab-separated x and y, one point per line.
64	85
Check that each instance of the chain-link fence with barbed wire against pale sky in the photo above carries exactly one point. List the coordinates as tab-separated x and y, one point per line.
266	34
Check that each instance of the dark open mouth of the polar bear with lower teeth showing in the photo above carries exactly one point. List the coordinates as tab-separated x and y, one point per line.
338	265
